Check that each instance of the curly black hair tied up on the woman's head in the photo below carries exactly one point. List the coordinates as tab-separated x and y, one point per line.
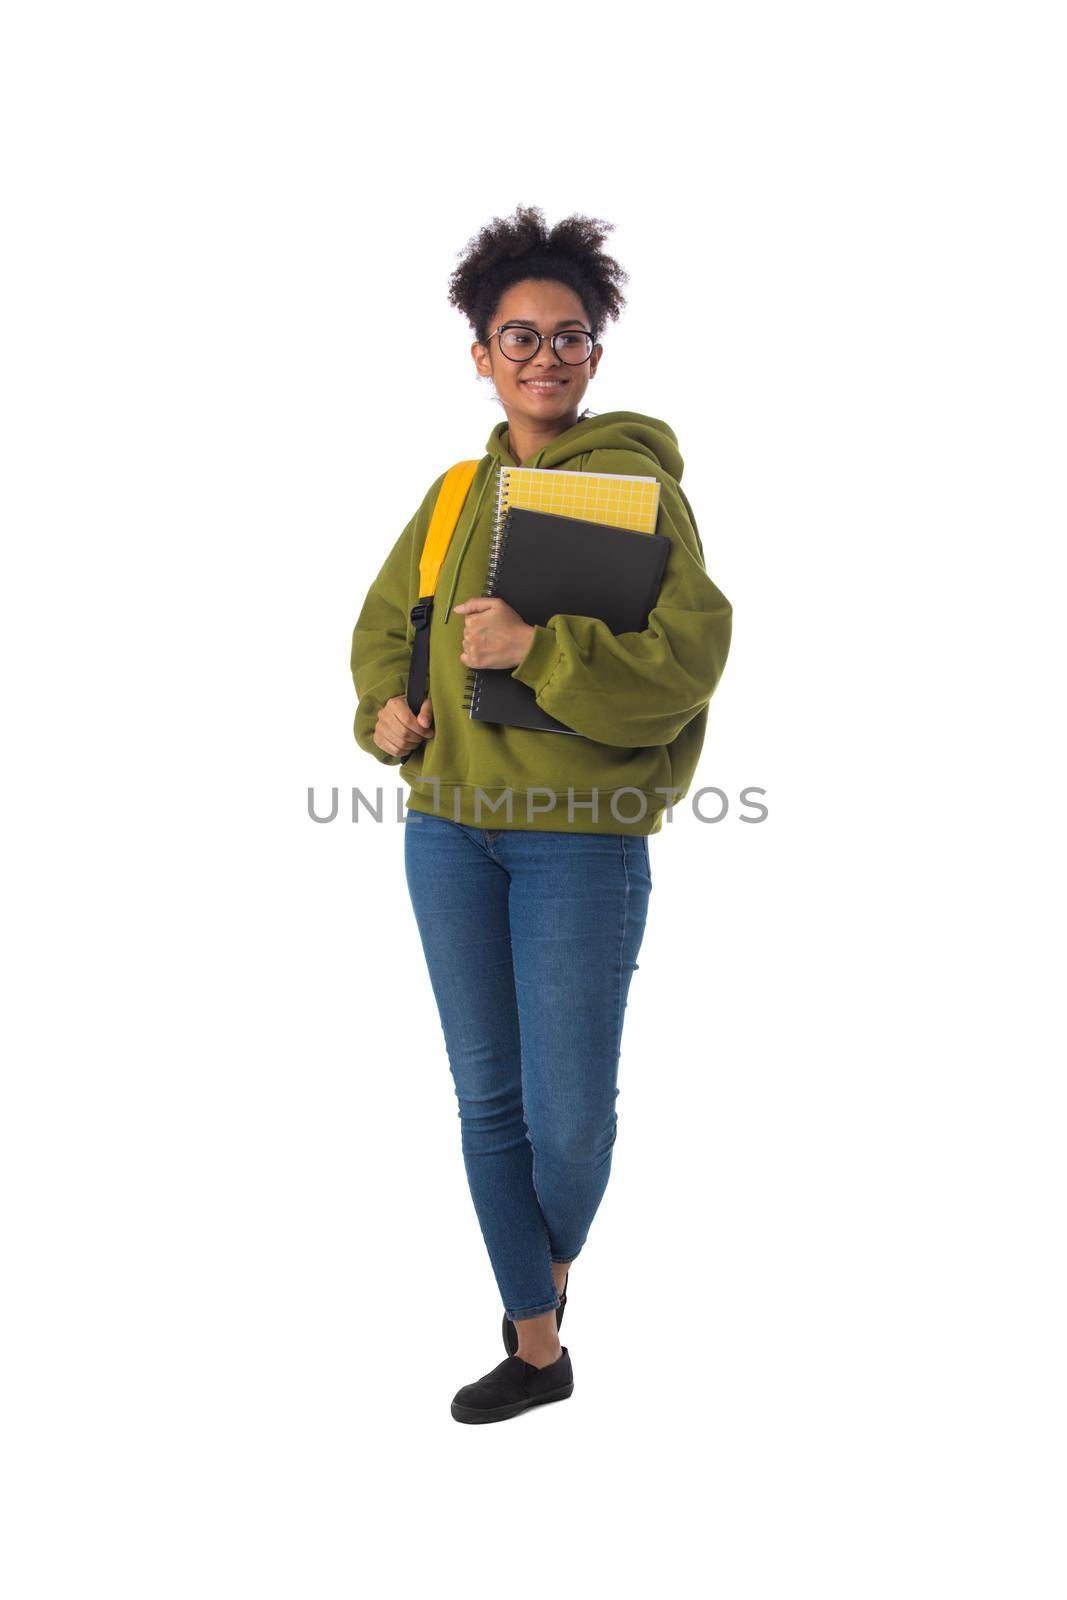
521	247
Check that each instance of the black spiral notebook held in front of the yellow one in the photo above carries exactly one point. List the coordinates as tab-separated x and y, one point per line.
546	564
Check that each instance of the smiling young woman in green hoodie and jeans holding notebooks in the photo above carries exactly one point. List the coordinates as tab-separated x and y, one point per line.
527	852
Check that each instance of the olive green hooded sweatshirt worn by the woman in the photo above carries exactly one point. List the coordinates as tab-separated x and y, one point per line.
637	702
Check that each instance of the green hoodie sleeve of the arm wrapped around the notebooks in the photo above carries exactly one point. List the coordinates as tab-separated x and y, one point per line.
641	689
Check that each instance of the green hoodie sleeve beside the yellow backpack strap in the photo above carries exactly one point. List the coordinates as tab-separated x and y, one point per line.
382	641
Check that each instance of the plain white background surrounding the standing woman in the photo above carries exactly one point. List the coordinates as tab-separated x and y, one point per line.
818	1330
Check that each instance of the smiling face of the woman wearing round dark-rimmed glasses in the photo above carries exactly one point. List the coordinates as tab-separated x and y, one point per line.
540	390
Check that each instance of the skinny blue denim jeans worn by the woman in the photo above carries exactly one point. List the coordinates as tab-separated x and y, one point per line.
530	940
